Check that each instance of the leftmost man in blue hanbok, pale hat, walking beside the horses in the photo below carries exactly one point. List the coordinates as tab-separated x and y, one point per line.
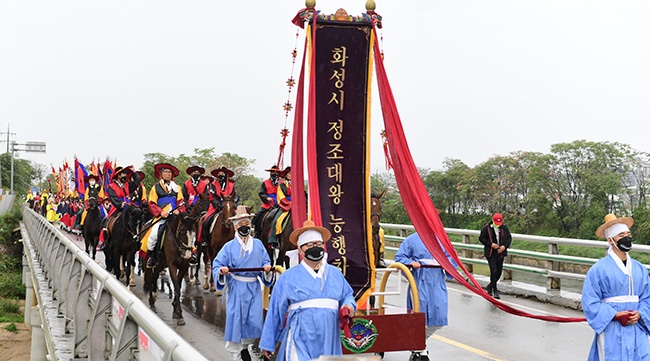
244	310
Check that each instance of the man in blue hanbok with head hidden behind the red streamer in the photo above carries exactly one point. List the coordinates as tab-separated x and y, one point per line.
432	289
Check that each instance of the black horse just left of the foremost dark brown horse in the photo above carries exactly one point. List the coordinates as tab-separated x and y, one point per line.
123	244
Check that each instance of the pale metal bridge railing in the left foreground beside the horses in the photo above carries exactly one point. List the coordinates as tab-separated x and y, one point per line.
77	310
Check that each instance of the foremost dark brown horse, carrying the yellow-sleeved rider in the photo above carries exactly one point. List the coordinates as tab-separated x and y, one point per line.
176	245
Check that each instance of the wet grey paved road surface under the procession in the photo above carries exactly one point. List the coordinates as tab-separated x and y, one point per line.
477	330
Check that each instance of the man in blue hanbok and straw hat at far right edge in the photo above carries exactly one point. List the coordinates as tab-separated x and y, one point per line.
616	298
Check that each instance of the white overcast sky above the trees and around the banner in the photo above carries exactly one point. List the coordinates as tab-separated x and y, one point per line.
472	79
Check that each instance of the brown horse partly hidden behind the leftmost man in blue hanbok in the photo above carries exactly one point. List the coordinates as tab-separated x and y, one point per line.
221	232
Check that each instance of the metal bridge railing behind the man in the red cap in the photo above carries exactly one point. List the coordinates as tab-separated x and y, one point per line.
556	266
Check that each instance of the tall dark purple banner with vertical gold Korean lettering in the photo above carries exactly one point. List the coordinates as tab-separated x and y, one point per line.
342	82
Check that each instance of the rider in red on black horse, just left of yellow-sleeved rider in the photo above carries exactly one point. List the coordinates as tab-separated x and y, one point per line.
119	192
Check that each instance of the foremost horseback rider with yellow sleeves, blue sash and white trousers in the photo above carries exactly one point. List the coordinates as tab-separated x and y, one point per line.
164	197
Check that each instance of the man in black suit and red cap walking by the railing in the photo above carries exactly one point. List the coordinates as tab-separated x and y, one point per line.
496	240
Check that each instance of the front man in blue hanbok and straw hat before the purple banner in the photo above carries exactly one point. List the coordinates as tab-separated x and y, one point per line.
311	295
